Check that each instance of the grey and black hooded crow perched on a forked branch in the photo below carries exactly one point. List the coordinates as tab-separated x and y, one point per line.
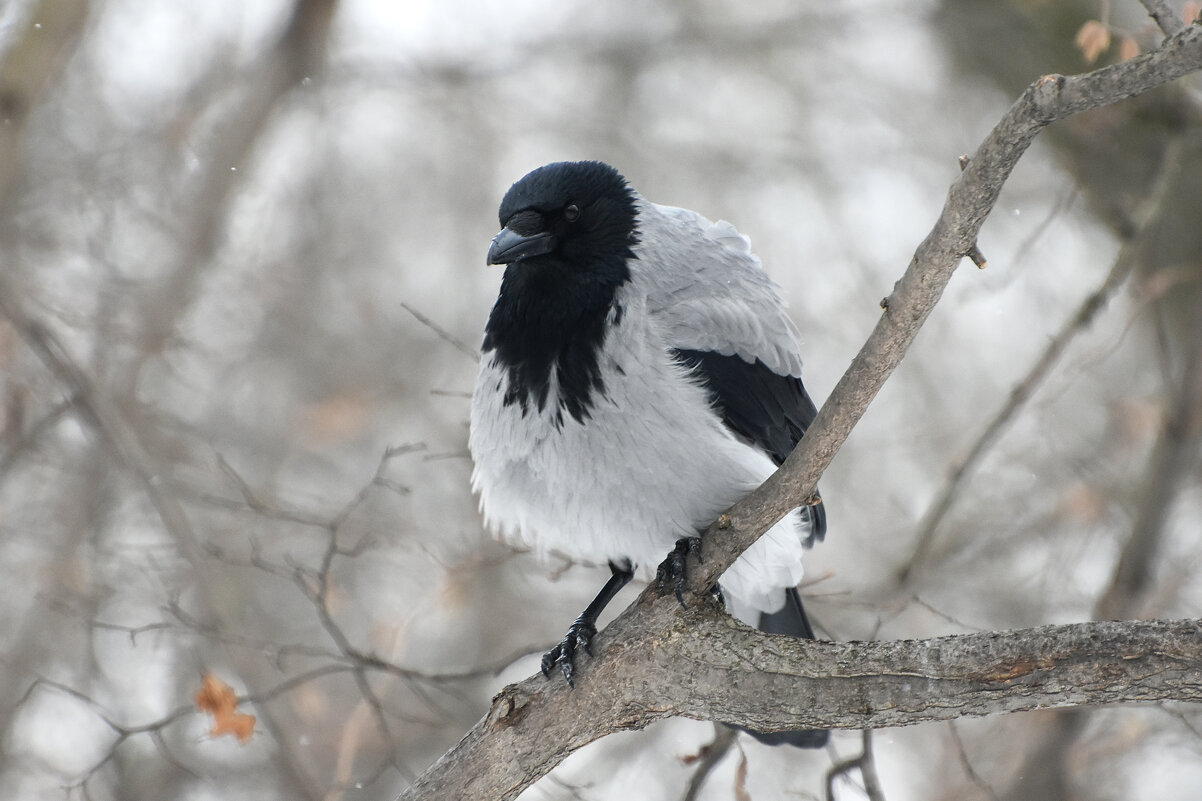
639	376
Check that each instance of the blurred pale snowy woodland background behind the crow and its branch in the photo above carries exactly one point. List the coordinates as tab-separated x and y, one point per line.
255	246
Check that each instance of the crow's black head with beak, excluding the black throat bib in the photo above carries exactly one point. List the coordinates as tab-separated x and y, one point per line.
579	215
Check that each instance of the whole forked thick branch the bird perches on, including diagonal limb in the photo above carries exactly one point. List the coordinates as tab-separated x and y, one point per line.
657	661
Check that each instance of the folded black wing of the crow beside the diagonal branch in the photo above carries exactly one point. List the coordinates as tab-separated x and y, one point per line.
769	410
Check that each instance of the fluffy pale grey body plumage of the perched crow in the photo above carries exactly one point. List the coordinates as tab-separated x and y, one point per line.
652	462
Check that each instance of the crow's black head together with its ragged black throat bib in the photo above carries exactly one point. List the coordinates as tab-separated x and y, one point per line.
569	233
